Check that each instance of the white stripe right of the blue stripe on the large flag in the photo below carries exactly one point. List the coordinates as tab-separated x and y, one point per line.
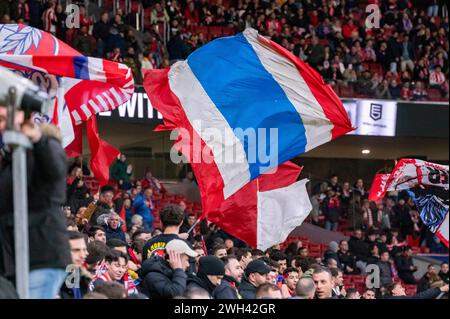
317	126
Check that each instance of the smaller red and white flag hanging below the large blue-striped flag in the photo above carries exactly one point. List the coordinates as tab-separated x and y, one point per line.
265	211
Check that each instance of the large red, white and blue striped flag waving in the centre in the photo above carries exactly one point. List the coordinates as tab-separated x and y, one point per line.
248	82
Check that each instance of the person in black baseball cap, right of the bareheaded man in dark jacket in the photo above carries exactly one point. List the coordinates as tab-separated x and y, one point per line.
255	276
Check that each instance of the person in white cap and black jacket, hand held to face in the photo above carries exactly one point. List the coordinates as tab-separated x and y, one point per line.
166	278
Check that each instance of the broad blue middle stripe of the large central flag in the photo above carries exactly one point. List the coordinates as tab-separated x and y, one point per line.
248	96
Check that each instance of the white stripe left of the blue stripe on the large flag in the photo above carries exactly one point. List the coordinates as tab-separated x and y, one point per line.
204	116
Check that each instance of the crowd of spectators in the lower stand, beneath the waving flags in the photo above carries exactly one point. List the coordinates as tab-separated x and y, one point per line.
137	245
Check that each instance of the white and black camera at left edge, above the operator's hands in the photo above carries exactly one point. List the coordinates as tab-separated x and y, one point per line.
28	96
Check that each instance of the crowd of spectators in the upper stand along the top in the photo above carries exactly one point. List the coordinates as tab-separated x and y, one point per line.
406	57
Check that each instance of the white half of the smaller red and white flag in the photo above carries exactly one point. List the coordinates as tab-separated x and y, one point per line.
280	211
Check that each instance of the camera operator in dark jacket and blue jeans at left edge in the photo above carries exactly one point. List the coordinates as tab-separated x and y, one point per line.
49	242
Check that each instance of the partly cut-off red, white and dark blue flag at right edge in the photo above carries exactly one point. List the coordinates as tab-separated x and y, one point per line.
428	184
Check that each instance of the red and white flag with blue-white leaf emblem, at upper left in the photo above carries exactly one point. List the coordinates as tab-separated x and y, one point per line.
80	86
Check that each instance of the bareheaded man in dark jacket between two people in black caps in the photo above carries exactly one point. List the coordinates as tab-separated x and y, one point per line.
233	277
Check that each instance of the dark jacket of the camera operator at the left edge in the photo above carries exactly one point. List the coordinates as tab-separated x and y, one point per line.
49	242
